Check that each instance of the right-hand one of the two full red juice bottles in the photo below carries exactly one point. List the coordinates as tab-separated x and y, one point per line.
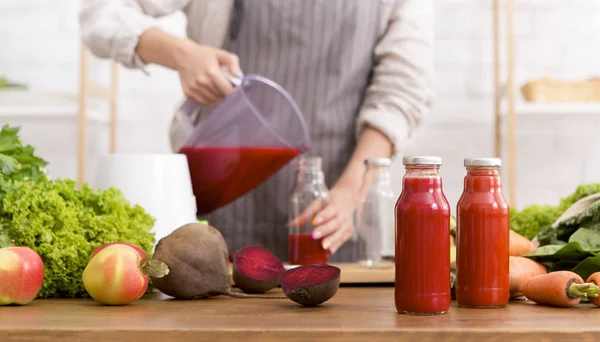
482	228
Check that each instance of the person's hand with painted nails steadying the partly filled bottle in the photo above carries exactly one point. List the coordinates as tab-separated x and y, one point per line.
335	222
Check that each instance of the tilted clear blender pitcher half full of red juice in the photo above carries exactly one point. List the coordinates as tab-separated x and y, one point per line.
242	141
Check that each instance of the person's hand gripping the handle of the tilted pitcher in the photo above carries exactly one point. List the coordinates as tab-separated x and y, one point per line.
199	69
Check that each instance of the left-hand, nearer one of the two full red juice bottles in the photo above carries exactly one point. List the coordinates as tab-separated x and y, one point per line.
422	216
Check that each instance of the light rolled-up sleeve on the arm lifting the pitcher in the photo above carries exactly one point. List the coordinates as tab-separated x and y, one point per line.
111	28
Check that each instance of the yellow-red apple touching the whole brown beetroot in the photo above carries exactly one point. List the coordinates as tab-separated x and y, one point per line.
113	275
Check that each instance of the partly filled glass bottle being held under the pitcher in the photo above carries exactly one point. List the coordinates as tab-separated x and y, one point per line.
309	196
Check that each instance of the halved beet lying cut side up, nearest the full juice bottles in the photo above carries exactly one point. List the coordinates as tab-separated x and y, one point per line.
311	285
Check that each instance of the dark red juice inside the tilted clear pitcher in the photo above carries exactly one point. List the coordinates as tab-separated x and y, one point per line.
222	174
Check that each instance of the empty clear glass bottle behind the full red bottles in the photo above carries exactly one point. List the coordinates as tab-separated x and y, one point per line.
376	232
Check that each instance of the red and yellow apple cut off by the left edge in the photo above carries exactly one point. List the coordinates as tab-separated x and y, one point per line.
21	275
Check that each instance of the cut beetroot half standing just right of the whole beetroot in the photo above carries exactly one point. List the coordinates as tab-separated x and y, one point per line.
256	269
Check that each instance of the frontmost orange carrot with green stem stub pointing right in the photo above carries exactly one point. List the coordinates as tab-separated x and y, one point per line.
561	289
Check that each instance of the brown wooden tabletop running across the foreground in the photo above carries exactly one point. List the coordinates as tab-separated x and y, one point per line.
365	314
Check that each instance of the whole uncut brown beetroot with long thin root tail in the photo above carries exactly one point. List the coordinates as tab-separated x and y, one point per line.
197	258
